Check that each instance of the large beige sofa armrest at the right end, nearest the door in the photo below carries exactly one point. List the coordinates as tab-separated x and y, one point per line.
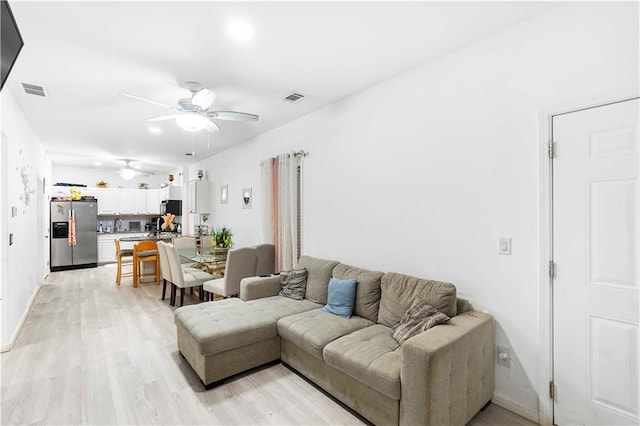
448	372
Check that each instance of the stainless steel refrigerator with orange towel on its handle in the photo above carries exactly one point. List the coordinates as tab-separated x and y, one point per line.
79	249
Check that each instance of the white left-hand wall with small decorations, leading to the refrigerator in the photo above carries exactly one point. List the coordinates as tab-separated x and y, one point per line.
24	262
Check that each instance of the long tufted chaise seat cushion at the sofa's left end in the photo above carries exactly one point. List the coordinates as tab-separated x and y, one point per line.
231	323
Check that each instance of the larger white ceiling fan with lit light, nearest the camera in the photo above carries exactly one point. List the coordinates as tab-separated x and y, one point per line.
193	113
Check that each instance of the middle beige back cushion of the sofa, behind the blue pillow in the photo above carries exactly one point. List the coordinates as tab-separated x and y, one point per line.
368	291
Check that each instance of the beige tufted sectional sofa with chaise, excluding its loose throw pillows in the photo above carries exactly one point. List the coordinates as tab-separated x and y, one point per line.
442	376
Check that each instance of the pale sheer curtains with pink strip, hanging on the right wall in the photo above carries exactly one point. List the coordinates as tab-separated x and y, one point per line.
281	207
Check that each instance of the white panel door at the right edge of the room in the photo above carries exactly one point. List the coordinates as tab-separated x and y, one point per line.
596	199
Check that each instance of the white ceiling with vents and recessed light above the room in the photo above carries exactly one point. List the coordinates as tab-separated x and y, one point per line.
86	53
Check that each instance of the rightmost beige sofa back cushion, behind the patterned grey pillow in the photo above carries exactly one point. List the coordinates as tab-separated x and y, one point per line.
399	292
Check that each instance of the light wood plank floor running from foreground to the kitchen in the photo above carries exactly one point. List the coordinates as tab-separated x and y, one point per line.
91	352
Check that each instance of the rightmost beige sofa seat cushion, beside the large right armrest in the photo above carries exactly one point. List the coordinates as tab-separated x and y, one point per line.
369	355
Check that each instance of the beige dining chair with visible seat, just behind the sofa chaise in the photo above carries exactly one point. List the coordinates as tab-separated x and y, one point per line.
241	263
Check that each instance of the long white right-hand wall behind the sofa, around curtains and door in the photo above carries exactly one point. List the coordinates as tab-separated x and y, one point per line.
422	173
